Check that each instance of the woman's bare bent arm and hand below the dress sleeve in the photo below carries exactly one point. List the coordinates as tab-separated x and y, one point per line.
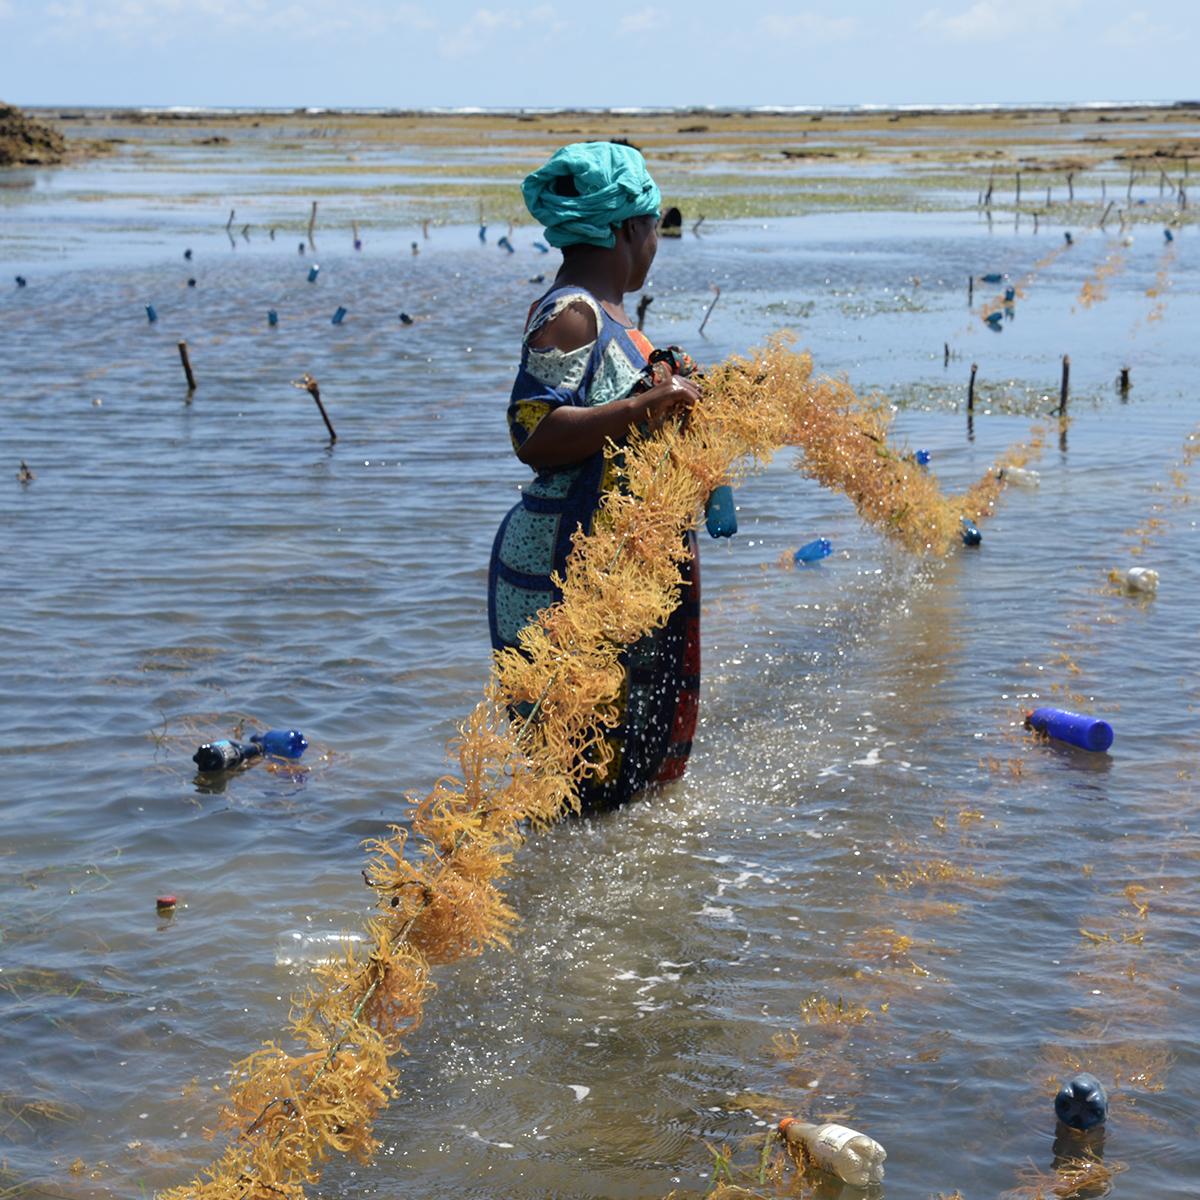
568	434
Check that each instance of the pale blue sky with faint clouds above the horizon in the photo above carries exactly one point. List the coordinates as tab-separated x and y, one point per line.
452	53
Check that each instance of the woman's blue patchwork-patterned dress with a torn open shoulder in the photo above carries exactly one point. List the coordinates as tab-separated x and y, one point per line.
658	704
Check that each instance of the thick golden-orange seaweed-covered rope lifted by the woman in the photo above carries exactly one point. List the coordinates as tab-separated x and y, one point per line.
289	1113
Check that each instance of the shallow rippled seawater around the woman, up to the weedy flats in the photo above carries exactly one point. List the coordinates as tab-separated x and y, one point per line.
874	898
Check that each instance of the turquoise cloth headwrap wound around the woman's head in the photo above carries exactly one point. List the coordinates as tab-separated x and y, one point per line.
614	185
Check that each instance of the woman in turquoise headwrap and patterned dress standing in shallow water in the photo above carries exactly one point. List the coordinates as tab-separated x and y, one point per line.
586	377
